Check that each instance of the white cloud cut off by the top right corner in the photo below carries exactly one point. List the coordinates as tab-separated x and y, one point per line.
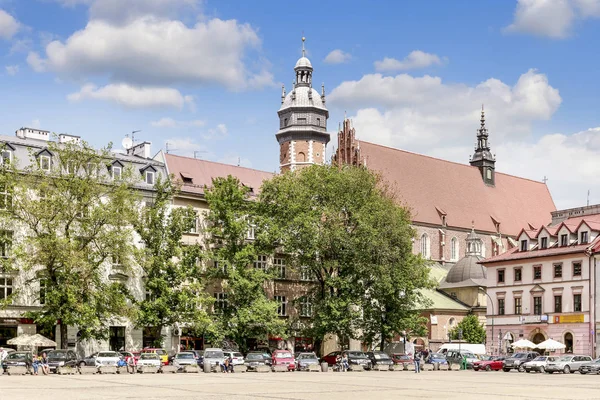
551	18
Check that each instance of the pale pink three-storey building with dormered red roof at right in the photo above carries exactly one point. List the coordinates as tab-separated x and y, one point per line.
545	288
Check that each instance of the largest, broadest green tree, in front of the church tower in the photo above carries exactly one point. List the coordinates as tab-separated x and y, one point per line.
344	226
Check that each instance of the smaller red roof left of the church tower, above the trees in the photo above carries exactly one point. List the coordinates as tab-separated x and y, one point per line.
201	172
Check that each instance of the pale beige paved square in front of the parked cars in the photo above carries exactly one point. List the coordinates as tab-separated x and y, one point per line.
304	385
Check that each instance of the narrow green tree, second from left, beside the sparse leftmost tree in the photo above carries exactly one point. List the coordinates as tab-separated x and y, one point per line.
174	288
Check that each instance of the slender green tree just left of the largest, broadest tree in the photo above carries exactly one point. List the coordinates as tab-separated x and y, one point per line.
247	312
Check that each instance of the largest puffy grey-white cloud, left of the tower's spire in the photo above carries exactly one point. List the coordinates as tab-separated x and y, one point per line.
142	52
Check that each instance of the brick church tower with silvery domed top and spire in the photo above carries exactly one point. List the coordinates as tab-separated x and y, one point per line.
302	134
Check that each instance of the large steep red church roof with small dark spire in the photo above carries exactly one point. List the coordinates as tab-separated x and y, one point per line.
424	183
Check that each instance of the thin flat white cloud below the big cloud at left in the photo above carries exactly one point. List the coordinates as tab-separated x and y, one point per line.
132	96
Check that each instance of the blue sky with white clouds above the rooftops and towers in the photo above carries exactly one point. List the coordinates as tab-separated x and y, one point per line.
204	78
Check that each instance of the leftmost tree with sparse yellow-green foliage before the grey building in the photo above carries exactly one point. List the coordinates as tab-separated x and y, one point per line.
64	220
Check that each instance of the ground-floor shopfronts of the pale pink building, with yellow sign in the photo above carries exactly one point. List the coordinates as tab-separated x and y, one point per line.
573	330
